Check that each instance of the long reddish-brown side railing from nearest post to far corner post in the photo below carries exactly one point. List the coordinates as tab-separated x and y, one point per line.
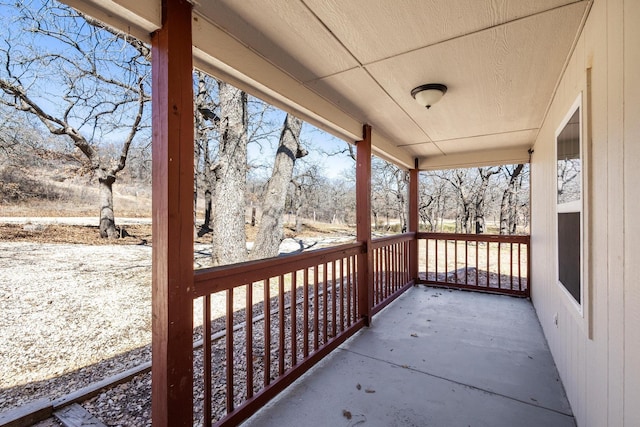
296	309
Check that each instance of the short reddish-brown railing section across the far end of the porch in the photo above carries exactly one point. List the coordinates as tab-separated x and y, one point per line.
490	263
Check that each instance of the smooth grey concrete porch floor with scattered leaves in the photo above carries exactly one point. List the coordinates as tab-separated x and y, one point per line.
434	357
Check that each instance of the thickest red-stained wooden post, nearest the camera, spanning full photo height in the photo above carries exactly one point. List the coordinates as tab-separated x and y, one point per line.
172	292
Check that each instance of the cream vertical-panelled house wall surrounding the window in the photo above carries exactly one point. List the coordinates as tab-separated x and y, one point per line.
597	352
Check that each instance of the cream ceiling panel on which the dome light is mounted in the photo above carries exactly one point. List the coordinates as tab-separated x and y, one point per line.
500	80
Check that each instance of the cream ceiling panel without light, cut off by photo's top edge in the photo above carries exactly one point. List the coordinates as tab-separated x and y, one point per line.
358	22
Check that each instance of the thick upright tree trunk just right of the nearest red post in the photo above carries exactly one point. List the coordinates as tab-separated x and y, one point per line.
230	176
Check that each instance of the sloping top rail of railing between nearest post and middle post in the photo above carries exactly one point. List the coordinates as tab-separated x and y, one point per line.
215	279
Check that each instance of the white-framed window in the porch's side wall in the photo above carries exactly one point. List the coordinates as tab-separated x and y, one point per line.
569	202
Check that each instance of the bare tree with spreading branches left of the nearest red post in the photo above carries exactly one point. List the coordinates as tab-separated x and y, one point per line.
89	84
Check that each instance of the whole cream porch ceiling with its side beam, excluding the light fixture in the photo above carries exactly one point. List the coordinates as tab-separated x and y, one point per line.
343	63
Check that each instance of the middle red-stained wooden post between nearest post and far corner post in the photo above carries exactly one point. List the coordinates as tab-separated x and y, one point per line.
363	224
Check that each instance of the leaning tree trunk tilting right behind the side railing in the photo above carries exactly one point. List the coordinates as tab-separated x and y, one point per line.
270	234
